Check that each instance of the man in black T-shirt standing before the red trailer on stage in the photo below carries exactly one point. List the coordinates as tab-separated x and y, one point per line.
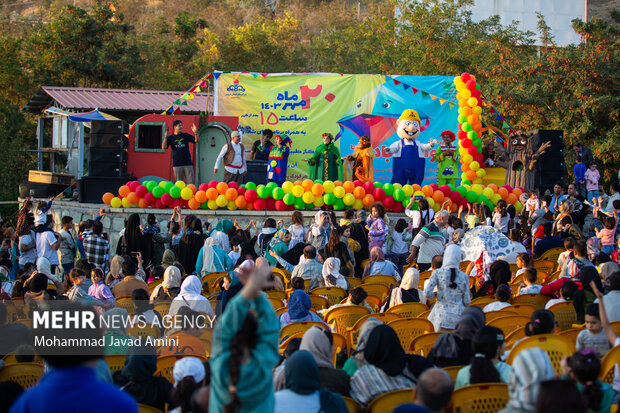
181	159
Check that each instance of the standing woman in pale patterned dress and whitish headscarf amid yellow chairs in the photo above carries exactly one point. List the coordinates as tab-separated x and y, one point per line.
452	291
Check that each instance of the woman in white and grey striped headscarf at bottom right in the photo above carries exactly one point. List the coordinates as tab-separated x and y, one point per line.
530	368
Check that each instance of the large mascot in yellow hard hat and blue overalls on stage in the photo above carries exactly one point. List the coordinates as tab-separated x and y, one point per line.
408	156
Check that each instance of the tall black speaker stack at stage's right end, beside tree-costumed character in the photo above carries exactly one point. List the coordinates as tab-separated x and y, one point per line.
551	166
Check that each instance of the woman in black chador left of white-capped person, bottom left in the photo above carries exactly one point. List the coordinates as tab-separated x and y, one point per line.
137	378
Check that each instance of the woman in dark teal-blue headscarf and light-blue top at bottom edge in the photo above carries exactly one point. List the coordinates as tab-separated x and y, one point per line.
303	392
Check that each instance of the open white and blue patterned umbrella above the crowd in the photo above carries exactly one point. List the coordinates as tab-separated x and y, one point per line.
485	238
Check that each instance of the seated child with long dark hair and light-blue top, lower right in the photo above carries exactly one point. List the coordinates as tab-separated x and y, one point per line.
489	346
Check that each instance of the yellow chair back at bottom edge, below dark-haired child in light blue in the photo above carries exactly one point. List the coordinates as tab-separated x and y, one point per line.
480	398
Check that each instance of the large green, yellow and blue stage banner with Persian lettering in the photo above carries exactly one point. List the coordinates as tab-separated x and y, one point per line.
304	106
